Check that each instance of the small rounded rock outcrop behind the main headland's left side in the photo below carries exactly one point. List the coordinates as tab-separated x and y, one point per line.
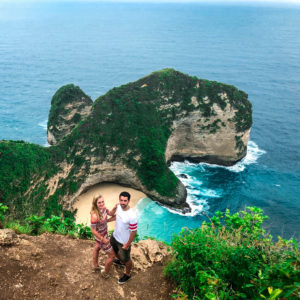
68	107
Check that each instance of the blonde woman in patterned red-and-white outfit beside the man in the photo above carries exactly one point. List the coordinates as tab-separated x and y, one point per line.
99	229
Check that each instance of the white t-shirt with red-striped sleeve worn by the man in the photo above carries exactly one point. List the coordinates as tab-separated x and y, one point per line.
126	221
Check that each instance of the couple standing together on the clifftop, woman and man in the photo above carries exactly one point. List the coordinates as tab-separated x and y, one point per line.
120	242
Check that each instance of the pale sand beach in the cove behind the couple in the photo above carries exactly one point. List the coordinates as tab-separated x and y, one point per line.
110	192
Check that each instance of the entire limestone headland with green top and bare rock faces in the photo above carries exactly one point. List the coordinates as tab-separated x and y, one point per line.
132	132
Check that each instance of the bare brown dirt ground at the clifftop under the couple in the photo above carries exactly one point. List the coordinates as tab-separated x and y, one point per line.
59	267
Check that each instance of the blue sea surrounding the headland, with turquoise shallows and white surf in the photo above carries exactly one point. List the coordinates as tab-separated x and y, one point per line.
101	45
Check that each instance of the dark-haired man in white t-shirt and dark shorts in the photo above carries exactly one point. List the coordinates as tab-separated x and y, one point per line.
125	231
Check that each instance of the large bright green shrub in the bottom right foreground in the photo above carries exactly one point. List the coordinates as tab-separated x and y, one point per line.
232	258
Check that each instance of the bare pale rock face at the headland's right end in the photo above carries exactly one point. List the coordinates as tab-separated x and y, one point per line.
212	140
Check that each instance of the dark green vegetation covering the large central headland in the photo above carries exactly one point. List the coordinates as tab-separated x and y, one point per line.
136	119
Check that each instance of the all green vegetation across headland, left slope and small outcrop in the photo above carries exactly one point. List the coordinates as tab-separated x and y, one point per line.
128	126
